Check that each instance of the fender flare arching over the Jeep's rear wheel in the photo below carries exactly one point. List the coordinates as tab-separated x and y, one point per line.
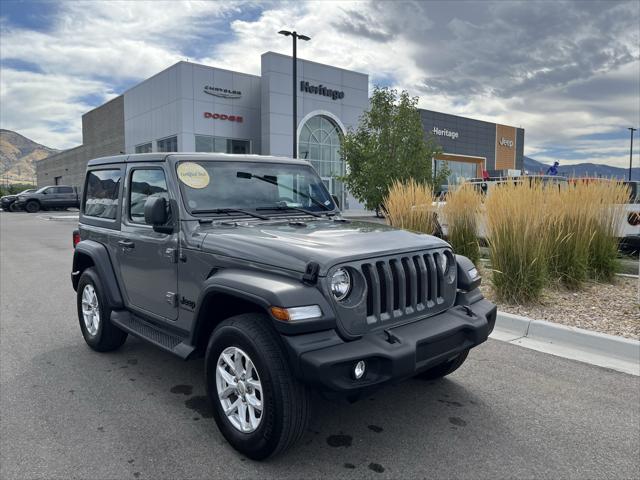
102	263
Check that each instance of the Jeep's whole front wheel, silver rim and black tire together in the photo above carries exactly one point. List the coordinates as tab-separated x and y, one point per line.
258	405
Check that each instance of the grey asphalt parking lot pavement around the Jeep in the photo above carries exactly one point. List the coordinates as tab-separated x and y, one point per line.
69	412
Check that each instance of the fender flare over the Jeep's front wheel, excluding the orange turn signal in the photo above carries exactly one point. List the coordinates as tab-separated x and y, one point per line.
265	290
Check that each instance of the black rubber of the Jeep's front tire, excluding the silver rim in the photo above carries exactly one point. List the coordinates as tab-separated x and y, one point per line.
285	400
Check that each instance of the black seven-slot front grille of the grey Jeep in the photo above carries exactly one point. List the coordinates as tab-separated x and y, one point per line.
402	285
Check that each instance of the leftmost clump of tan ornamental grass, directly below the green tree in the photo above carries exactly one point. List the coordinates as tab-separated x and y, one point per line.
409	205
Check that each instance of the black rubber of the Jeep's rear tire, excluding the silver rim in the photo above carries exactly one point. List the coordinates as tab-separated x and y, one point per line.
107	336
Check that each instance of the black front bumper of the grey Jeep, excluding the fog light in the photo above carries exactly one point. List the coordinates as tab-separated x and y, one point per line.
325	361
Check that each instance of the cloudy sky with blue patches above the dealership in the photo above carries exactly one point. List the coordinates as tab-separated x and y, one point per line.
569	73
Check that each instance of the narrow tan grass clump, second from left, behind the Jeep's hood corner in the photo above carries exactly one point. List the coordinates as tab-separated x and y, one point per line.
461	212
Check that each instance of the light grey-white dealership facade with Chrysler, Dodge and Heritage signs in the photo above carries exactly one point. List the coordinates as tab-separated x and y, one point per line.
197	108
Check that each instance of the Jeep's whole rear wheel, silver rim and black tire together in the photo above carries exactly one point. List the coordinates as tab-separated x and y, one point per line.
94	315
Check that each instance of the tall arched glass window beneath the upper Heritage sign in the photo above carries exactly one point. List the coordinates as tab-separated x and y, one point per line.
319	142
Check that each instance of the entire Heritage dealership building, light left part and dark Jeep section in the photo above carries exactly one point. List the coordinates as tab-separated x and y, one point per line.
197	108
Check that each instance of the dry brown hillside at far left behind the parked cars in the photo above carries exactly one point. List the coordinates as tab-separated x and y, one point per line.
17	157
